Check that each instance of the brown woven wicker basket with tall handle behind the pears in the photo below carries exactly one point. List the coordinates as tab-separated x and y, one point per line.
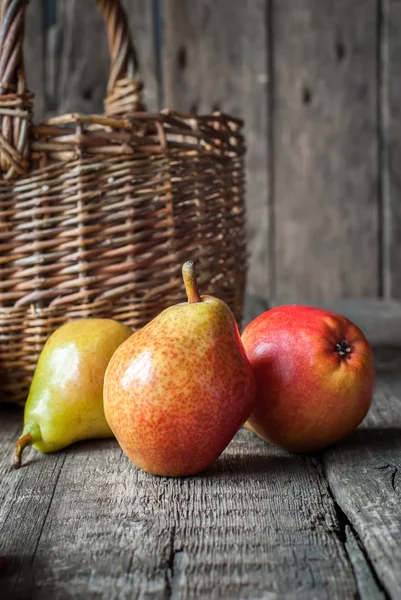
98	213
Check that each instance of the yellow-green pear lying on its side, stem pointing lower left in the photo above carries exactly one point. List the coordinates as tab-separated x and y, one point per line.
65	401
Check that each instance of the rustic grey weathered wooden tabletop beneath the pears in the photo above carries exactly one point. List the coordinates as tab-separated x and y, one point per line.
259	524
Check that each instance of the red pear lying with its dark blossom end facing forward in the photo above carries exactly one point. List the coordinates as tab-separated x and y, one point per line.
314	376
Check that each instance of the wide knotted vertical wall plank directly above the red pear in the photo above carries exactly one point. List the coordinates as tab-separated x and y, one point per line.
325	149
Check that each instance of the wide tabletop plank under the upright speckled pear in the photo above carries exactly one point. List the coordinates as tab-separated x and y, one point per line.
258	524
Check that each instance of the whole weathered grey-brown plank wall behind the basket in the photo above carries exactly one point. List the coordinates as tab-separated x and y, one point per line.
319	86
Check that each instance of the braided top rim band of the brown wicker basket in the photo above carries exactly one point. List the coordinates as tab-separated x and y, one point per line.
80	137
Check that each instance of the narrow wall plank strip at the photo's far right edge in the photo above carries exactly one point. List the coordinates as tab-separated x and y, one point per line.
391	146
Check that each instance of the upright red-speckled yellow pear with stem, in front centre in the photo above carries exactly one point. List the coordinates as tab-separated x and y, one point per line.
177	391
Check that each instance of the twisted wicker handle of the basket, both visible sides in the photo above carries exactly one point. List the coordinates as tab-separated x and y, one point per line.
16	102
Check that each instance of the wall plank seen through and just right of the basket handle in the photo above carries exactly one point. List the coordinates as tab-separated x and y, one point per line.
68	61
